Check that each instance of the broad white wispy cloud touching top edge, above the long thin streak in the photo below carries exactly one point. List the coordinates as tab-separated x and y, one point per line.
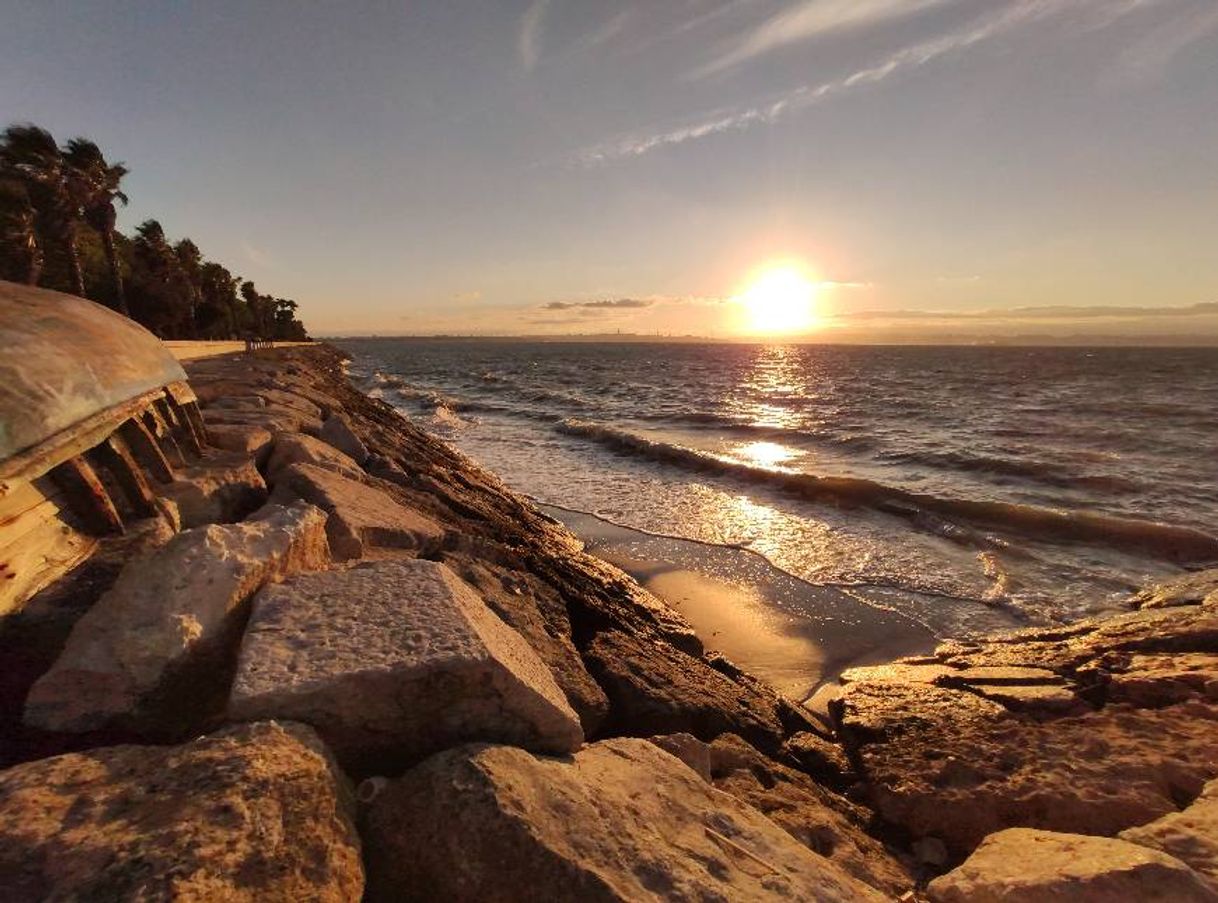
811	20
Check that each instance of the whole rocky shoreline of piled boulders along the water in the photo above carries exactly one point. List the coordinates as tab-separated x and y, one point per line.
345	661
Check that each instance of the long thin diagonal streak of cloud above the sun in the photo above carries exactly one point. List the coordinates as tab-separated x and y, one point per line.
1016	15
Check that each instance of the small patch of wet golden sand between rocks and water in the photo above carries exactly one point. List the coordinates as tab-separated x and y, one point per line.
792	634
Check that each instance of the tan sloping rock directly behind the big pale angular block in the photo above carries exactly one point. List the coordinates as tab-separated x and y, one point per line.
360	516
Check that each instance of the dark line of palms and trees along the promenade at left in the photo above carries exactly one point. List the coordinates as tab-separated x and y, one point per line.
58	230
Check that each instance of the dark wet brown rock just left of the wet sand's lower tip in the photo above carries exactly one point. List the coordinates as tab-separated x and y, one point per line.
655	689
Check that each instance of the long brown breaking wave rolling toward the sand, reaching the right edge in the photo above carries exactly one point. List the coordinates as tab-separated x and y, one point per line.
940	515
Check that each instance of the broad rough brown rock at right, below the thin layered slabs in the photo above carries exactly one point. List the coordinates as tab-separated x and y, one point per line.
960	767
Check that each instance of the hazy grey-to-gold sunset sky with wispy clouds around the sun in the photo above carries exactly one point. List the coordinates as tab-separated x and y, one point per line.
935	170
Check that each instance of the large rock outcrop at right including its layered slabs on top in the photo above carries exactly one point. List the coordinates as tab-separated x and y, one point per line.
959	759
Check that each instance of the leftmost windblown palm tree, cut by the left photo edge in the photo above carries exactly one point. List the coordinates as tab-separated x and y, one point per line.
32	154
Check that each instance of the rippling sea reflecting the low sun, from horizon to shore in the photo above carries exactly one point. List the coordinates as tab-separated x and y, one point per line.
966	488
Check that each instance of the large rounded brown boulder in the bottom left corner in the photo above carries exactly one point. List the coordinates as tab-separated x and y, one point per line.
253	813
